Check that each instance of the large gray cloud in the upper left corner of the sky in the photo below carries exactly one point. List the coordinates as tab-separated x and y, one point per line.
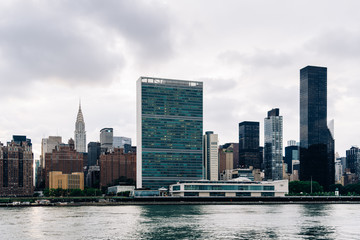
43	44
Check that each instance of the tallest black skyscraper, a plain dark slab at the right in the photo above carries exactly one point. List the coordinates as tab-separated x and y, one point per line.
316	141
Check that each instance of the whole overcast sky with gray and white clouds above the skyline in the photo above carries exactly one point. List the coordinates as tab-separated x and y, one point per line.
248	54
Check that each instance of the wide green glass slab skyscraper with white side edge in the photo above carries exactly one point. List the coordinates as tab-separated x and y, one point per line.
169	131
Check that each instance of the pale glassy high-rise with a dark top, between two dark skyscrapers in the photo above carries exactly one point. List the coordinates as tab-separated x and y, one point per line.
273	146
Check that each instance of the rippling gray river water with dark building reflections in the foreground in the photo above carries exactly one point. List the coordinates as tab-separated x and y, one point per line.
303	221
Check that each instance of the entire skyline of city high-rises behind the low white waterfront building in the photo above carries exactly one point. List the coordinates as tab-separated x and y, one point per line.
171	146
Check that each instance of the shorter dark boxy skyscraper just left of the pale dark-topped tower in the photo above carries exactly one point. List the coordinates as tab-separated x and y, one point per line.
249	154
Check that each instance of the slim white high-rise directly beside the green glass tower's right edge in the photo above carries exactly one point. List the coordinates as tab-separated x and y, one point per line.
211	156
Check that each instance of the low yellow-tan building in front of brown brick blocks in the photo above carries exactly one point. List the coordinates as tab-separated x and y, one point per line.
66	181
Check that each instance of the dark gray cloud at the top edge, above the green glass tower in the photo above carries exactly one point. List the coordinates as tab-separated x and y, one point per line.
145	25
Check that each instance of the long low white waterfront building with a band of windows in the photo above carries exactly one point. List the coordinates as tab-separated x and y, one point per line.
235	188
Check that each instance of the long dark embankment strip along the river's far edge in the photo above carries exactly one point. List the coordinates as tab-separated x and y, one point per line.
116	201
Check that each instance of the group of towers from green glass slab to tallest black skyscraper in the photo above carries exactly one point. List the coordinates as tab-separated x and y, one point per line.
172	147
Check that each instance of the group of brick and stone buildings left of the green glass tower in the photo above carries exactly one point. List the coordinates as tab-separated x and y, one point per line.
66	166
